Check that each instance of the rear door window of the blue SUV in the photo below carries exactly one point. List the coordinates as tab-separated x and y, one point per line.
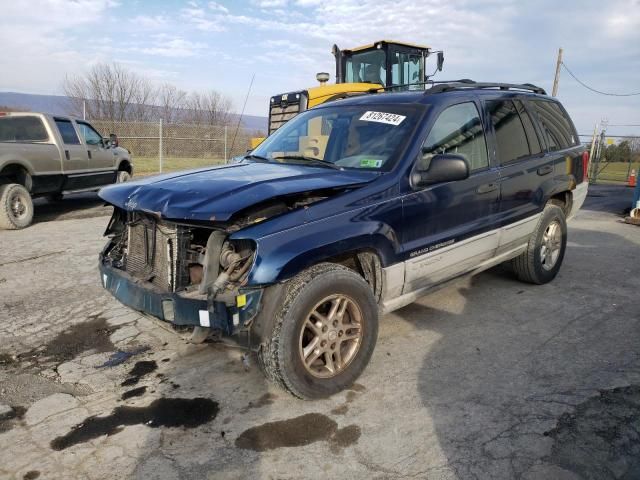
511	141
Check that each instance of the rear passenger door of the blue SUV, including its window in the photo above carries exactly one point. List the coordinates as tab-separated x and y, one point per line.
523	168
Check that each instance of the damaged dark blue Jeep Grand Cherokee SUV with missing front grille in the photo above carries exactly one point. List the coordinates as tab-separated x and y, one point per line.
349	211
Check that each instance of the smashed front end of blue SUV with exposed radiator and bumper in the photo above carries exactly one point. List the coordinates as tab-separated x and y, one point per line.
185	275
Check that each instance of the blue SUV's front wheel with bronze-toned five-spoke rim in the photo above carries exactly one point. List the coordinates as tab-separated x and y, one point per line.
323	334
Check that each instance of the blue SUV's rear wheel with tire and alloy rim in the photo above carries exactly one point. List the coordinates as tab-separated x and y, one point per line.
540	263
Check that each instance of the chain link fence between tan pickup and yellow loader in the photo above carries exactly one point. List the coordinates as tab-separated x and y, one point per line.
161	147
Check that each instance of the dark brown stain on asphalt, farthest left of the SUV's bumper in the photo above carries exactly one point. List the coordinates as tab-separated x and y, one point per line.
79	338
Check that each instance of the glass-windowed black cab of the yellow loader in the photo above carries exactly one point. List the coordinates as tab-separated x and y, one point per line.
390	64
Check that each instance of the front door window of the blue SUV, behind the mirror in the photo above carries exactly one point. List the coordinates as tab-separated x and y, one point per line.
458	130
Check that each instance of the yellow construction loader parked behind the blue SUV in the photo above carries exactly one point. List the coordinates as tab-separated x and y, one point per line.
380	65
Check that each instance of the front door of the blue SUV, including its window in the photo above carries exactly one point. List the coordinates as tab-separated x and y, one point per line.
449	228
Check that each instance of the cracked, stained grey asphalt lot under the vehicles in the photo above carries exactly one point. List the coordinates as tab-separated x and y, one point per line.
488	378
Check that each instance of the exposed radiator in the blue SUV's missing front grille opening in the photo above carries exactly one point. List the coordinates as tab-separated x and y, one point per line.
156	252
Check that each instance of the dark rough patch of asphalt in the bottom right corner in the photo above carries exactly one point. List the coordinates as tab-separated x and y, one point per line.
601	438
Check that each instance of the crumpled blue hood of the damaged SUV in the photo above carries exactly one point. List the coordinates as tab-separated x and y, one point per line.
217	193
